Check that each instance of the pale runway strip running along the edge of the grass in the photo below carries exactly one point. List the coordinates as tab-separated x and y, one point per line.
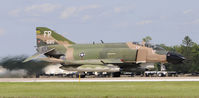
131	79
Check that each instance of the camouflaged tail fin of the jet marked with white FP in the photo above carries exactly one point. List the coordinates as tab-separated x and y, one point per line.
46	36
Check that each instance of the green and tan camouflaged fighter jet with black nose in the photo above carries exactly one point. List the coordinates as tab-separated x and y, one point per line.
101	57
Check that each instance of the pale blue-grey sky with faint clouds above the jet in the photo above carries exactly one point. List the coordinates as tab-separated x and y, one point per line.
85	21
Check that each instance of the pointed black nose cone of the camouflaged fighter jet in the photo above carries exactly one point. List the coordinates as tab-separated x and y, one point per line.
175	58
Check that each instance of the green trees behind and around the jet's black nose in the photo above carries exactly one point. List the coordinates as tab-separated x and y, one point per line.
190	50
